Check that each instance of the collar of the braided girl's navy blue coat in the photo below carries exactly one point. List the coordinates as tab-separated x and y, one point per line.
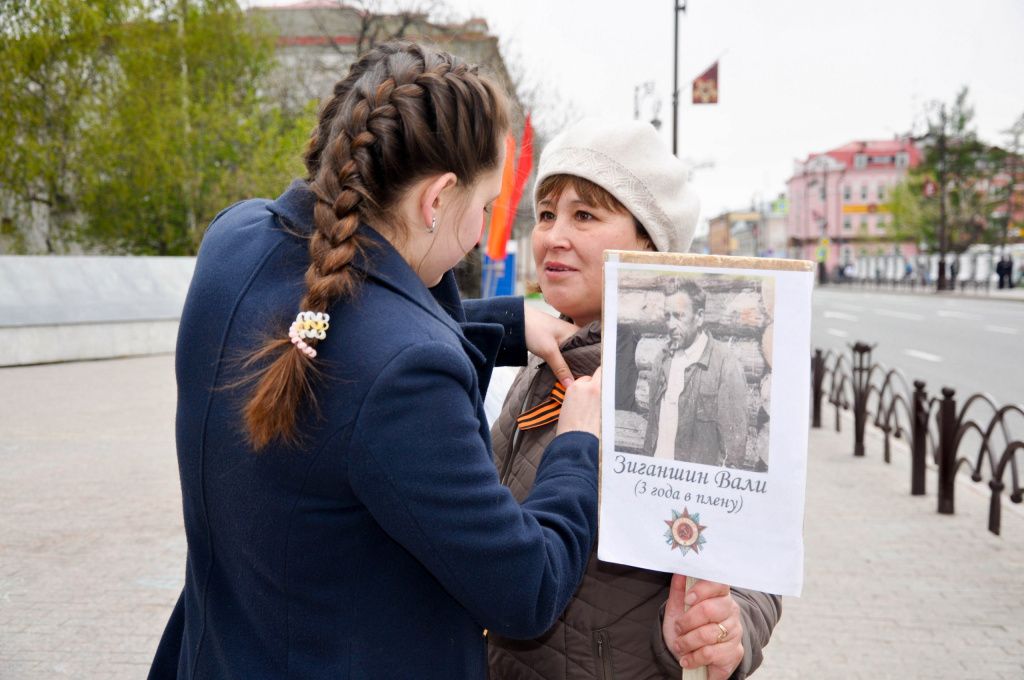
387	267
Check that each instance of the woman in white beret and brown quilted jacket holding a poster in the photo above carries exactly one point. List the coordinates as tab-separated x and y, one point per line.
604	186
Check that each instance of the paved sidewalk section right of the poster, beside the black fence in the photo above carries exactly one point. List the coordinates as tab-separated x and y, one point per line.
892	589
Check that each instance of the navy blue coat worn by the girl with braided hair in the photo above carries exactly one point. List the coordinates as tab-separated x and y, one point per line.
385	545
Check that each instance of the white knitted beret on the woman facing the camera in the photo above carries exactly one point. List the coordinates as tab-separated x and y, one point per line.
629	161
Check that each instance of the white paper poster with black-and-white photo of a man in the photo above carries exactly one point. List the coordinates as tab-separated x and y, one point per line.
705	416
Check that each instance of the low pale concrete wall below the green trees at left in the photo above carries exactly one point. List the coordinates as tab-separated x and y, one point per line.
64	309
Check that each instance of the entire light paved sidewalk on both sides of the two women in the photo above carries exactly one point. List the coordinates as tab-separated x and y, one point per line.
93	551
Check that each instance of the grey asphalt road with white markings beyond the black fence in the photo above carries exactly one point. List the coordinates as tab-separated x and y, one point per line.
972	346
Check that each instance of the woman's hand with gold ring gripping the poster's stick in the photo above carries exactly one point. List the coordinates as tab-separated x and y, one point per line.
709	633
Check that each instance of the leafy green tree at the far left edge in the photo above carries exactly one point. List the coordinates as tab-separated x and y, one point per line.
55	73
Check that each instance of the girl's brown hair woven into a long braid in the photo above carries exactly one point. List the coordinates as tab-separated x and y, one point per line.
404	112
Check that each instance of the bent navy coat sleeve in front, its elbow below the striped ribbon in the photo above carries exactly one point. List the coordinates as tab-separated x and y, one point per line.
421	464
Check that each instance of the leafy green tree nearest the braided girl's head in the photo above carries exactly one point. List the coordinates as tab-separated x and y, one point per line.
189	133
